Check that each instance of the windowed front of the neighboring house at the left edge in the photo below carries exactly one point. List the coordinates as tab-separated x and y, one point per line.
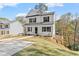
4	26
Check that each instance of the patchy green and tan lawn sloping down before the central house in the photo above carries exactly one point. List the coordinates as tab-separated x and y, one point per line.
44	46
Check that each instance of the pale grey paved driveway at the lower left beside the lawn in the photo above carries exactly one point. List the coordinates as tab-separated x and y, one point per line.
8	48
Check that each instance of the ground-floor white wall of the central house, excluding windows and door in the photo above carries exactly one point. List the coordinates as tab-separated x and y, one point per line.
40	30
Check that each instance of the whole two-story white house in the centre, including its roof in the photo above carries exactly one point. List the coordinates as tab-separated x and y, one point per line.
39	22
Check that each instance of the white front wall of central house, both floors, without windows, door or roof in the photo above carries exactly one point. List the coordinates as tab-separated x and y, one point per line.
39	19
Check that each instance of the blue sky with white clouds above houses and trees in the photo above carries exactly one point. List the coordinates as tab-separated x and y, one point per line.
11	10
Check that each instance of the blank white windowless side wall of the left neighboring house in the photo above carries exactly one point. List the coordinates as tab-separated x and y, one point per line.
16	28
